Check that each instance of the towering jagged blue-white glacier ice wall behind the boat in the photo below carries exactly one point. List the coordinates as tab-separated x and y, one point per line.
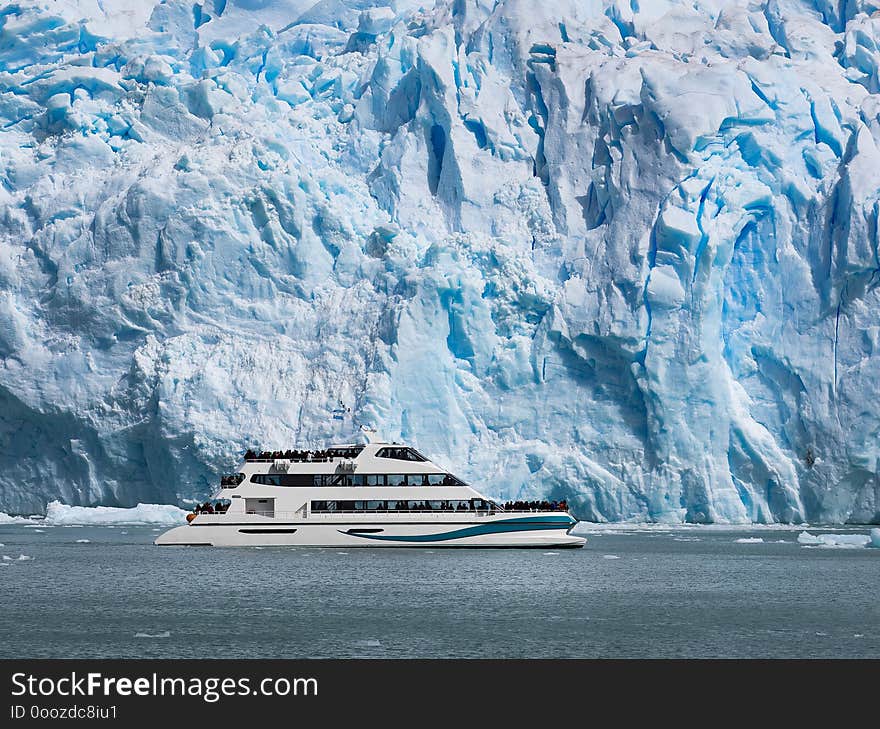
622	252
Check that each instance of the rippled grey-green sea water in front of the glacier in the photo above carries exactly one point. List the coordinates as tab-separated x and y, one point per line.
643	594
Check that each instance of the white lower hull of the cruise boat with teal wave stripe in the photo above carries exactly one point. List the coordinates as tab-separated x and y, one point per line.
524	532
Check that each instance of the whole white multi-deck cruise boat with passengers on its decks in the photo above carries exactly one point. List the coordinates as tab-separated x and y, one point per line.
371	495
